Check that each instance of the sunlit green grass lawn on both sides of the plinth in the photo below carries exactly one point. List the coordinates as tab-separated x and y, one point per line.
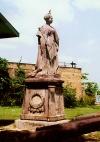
12	113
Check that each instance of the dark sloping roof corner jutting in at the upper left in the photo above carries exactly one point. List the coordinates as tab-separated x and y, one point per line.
6	29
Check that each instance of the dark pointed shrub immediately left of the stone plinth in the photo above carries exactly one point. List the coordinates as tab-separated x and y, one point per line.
17	86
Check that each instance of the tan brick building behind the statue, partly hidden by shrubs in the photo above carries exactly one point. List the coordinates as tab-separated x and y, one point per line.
70	75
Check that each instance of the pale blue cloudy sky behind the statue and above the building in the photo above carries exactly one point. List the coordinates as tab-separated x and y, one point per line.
76	21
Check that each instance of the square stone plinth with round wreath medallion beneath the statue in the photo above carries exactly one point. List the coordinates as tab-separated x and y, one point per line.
43	100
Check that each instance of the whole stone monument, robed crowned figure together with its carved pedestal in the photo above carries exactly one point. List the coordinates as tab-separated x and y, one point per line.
43	99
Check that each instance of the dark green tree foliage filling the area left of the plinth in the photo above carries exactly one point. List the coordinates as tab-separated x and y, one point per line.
11	89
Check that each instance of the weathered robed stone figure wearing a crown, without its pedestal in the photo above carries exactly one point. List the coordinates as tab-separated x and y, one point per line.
48	45
